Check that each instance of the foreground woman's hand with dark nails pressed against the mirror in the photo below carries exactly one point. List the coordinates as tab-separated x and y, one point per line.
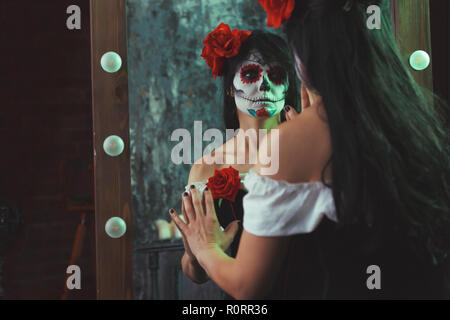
201	230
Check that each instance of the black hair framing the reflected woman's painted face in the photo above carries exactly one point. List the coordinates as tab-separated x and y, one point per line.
273	49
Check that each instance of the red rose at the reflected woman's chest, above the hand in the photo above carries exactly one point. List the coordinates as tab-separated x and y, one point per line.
224	184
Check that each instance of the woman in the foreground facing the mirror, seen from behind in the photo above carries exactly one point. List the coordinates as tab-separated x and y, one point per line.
368	134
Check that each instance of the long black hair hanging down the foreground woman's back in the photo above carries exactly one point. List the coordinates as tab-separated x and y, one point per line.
390	150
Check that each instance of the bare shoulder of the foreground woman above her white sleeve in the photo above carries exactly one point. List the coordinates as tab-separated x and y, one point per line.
298	149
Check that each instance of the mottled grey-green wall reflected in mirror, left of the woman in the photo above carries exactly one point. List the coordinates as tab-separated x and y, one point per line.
170	86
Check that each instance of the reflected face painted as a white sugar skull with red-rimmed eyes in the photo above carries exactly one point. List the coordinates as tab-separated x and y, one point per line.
260	89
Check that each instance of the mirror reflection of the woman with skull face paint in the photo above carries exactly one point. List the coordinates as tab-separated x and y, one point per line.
258	80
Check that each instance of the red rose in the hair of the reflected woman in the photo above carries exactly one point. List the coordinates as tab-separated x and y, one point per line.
220	44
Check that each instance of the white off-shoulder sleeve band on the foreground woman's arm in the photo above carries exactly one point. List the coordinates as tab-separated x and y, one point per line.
280	208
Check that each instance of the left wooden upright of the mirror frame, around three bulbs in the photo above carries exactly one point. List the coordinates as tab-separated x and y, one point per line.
112	174
